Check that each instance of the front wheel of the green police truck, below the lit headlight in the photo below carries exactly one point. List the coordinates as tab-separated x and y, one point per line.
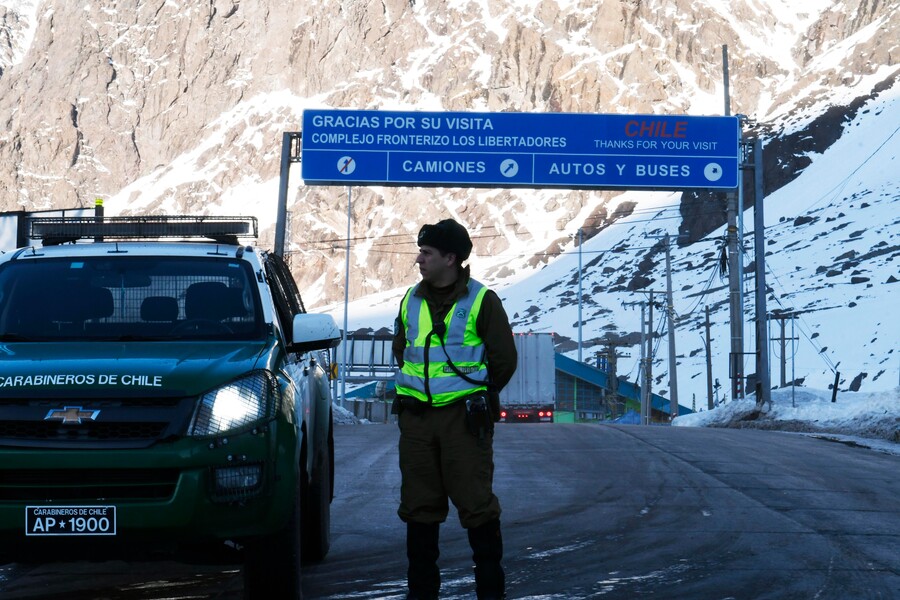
272	563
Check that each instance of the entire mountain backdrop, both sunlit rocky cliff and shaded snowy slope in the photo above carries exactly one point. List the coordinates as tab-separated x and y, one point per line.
179	106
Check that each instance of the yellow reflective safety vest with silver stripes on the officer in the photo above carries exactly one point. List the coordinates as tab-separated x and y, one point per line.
426	373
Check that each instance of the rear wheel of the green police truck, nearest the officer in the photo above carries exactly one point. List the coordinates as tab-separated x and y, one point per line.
317	502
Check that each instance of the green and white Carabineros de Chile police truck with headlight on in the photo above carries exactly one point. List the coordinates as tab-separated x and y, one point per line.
162	394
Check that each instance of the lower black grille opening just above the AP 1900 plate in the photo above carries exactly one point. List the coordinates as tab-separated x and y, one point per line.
87	484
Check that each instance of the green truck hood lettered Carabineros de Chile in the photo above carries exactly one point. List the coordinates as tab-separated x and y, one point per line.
125	369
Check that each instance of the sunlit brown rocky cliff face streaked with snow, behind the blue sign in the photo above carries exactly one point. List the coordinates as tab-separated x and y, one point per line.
162	107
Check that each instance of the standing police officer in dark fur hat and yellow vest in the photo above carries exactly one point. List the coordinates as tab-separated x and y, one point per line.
456	351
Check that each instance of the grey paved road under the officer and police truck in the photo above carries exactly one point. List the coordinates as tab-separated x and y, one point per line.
590	512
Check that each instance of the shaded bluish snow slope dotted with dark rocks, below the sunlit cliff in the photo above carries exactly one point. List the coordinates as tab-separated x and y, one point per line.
832	243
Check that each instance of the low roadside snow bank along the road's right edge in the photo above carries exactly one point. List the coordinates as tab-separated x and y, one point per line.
873	415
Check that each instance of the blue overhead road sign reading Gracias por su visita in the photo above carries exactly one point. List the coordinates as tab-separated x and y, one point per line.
467	149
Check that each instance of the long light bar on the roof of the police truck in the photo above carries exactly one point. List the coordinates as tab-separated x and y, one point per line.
56	230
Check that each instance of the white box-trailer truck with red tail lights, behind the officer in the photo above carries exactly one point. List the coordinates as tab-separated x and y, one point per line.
530	396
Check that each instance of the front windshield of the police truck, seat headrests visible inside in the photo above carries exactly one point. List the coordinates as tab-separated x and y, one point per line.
129	298
